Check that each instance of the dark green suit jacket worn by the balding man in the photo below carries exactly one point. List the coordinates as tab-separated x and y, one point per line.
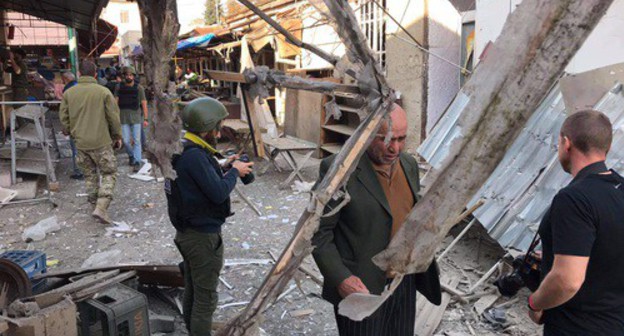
346	242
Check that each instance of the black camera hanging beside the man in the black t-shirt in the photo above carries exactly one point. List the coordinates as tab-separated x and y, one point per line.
526	273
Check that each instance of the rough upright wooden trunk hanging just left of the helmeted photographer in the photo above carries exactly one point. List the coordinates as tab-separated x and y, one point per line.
159	21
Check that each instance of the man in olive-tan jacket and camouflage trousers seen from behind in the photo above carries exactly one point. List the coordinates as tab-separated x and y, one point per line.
89	113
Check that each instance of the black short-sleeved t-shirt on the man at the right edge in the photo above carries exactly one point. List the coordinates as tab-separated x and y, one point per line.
586	218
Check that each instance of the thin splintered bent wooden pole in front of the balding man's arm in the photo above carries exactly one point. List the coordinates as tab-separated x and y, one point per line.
379	100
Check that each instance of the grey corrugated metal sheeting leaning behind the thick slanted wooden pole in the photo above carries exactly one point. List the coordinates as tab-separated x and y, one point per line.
521	188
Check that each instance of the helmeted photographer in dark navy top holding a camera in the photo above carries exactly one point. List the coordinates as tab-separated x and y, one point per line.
199	203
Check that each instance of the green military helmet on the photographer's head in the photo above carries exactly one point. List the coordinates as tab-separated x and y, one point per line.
203	115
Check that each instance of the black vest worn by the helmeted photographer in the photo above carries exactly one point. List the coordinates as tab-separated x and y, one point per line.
178	211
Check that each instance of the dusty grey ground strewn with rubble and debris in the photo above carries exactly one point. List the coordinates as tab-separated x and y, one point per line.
246	235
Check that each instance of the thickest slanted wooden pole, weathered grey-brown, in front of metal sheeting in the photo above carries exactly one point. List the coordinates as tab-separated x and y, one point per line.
537	42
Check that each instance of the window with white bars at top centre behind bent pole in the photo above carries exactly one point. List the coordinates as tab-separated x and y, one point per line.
373	25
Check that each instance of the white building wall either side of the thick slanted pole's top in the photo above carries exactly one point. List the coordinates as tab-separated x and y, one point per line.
603	47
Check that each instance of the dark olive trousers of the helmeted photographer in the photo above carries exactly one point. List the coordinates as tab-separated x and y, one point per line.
203	260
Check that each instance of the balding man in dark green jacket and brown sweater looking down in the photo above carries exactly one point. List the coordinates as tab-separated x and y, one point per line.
383	188
